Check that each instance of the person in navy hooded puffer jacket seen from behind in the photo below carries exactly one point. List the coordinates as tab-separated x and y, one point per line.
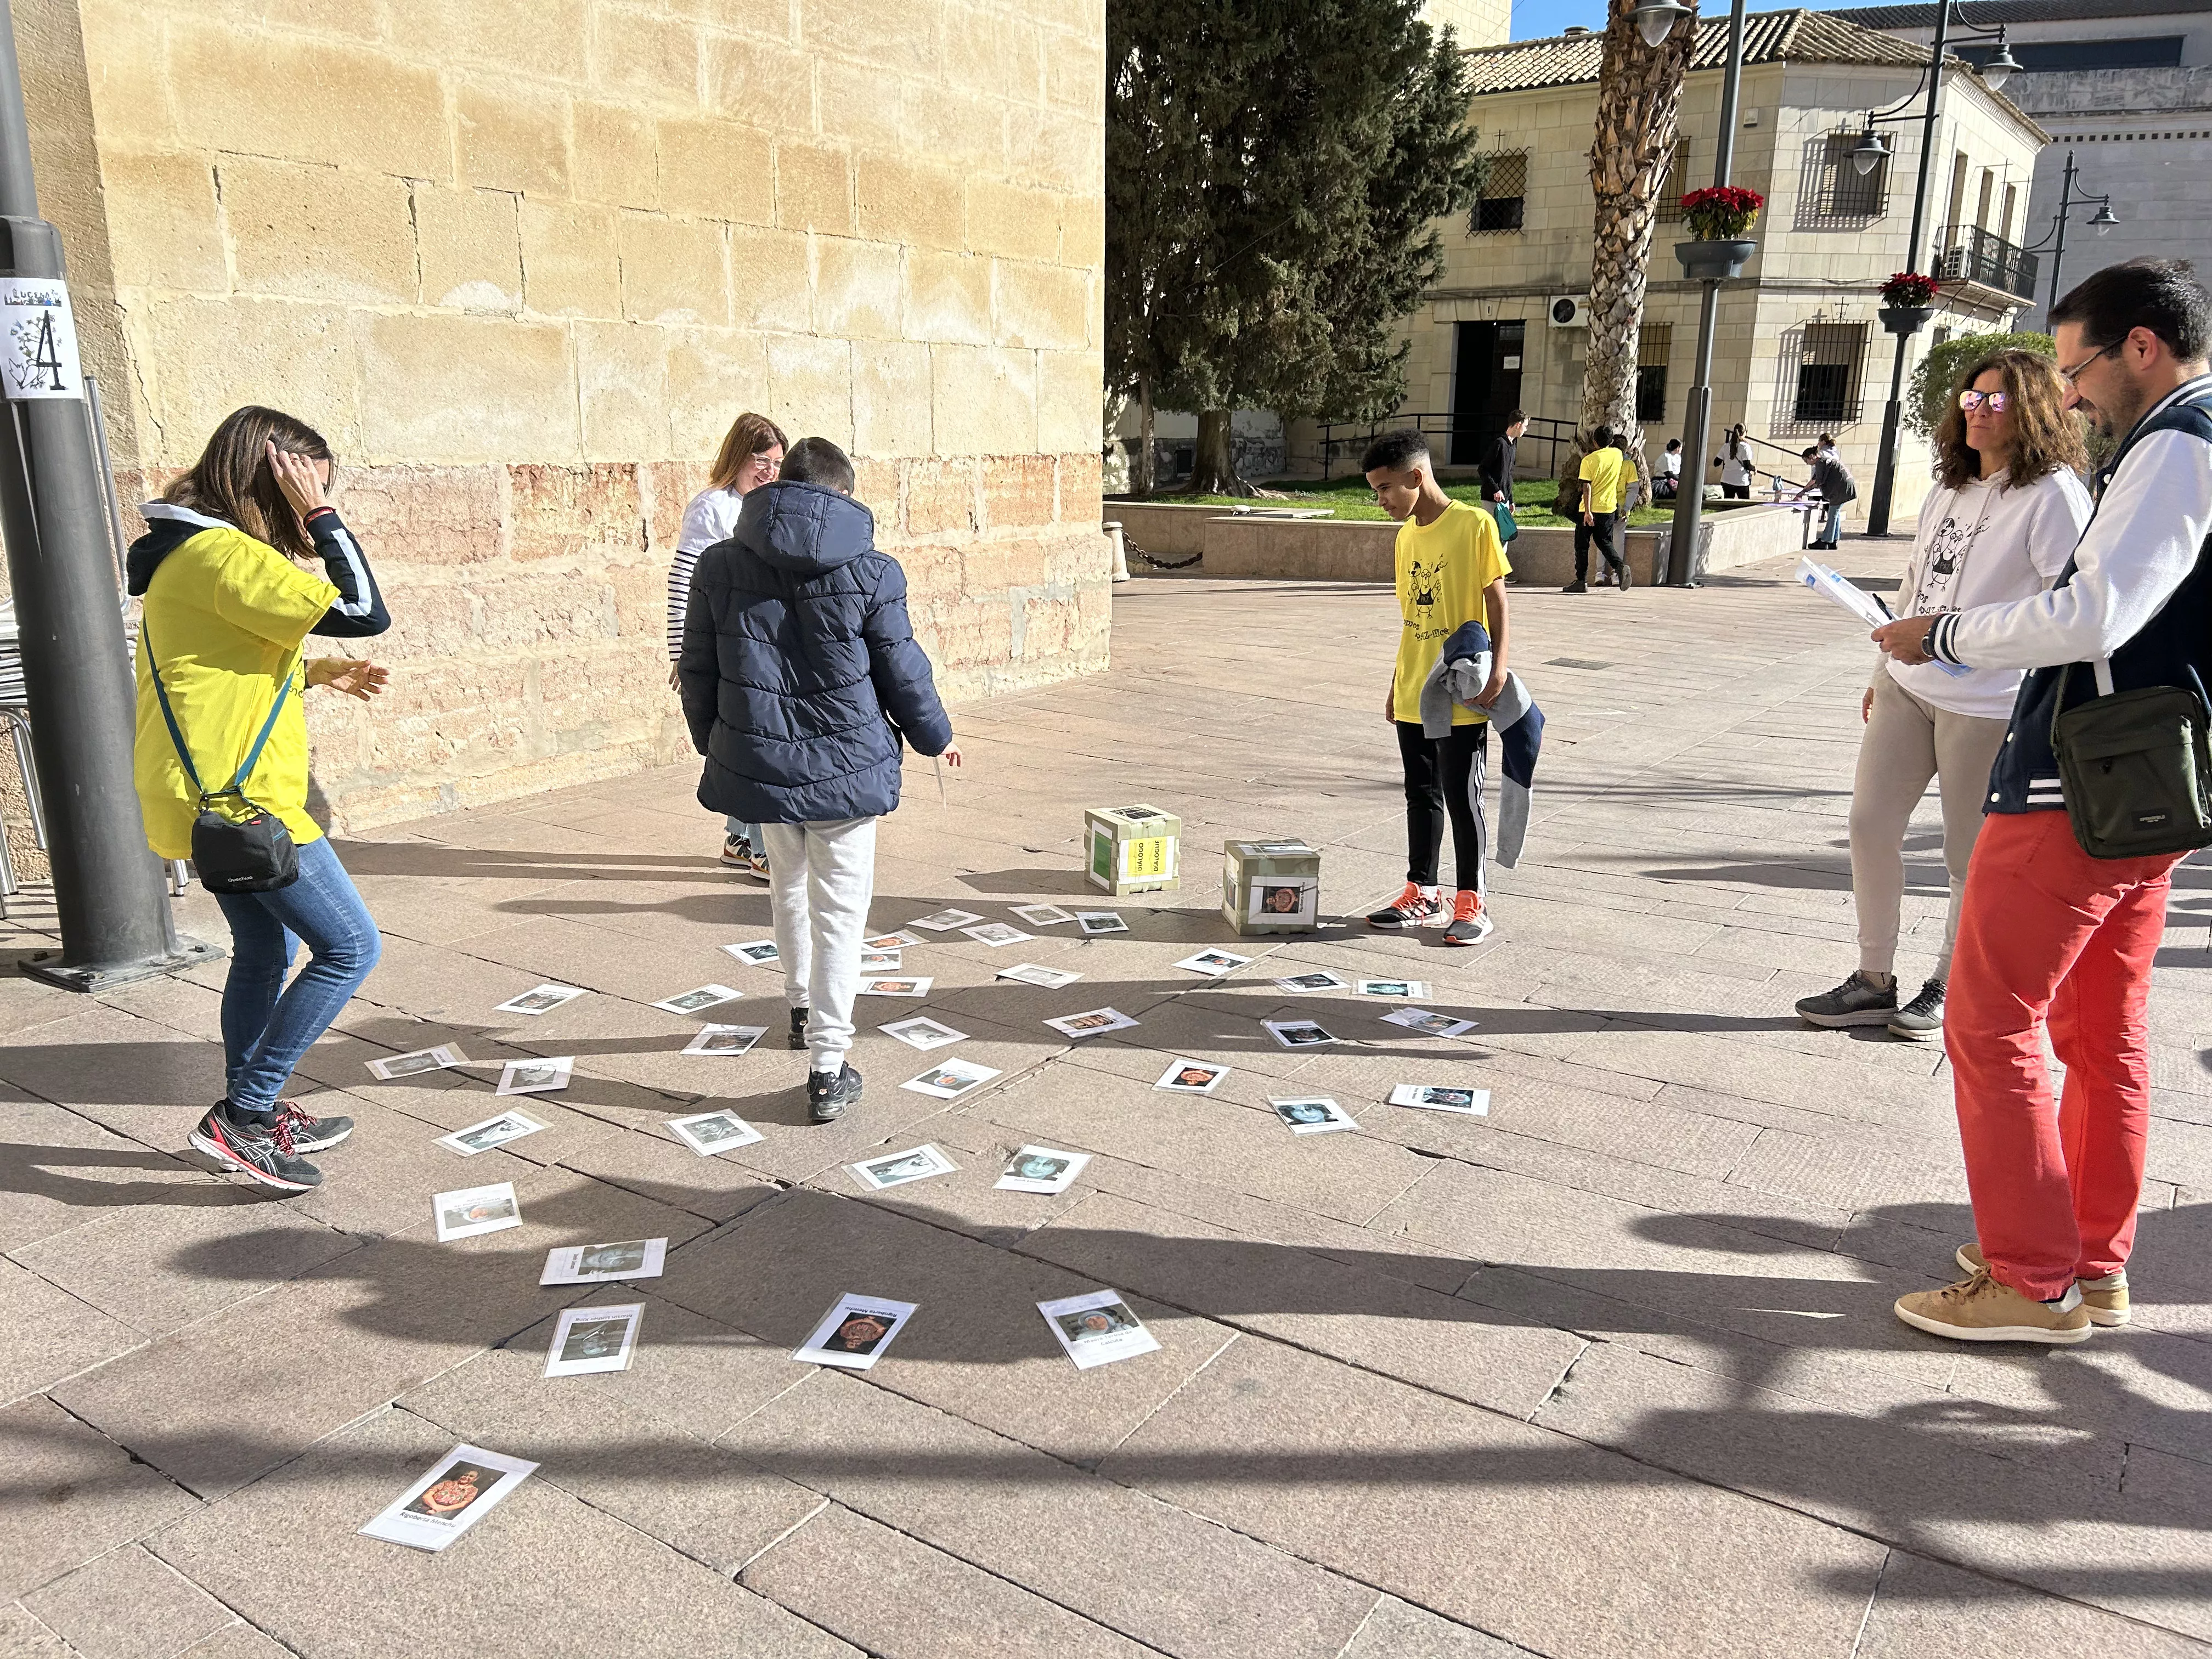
802	685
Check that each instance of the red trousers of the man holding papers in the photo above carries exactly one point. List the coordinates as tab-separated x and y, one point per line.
2054	937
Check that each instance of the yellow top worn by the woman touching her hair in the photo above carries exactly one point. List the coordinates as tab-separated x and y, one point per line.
227	616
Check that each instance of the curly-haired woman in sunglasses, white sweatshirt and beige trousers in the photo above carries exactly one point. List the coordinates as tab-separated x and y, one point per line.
2001	525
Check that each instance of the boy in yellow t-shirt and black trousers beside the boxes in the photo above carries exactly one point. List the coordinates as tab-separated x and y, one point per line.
1452	570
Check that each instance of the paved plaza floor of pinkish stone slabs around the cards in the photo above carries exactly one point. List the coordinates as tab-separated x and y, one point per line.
1607	1373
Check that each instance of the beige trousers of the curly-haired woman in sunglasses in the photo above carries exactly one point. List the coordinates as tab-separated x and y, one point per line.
1910	742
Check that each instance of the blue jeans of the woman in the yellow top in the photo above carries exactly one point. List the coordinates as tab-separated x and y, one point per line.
269	1025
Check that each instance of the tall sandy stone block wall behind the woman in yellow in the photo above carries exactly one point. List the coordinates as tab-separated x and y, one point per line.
525	260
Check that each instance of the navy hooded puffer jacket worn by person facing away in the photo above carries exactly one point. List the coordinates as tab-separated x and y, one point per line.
800	669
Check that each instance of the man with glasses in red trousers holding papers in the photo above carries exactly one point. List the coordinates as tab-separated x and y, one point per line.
2049	935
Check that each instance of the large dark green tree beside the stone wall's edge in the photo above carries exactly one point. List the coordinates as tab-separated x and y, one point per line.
1275	171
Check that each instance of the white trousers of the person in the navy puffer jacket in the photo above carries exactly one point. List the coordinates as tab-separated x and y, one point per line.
822	879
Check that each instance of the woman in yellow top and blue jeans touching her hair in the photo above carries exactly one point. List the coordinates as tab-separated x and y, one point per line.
220	678
